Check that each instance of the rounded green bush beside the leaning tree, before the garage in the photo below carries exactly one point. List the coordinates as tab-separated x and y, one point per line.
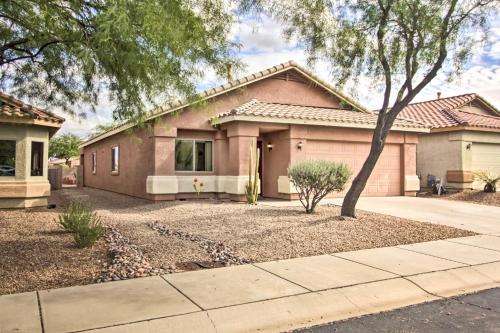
314	179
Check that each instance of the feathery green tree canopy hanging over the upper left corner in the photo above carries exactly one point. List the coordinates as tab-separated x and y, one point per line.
140	53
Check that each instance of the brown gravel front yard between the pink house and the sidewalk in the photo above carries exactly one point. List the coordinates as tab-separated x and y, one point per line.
145	238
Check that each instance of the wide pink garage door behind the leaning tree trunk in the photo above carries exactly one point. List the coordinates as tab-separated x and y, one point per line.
385	179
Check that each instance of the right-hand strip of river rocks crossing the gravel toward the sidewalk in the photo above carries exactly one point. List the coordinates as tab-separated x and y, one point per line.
218	251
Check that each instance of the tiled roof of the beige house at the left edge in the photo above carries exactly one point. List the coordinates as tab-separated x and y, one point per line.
13	107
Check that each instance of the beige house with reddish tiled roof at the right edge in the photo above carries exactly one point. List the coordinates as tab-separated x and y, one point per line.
465	138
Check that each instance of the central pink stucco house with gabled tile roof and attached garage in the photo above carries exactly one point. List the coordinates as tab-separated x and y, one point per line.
287	111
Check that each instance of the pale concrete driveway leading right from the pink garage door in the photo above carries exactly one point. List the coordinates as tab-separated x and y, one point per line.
478	218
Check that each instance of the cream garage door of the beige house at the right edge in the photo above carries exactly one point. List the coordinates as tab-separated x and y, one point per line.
485	157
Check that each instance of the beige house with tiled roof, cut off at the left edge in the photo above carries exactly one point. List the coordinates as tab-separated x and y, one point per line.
24	141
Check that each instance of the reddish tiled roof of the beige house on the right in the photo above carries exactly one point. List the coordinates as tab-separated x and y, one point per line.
445	112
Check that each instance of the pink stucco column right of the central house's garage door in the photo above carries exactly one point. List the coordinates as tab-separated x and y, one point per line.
411	182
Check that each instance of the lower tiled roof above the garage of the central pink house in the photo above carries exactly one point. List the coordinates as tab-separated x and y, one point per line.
288	112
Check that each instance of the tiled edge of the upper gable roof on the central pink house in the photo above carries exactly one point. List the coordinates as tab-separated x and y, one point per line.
232	85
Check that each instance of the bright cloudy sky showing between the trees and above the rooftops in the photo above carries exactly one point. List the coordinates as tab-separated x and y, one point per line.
264	46
